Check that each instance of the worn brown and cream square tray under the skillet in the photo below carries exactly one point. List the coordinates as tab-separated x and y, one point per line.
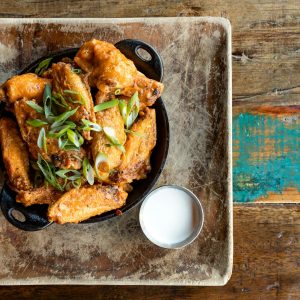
196	54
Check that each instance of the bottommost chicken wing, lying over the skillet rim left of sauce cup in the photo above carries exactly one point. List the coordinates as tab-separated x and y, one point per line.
80	204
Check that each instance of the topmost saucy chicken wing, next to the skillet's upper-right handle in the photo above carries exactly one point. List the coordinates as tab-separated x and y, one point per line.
109	70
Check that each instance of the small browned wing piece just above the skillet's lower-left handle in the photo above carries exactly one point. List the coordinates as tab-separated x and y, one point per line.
40	195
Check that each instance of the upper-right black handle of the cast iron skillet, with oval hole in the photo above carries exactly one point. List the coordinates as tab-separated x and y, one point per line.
152	67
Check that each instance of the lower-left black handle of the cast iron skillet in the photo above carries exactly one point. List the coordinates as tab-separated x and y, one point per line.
34	217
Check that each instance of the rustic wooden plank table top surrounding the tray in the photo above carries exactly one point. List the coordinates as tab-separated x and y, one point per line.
266	119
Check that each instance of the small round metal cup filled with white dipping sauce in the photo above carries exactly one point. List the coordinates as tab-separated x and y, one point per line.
169	216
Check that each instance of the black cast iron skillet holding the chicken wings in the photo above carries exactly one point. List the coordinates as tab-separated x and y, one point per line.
36	215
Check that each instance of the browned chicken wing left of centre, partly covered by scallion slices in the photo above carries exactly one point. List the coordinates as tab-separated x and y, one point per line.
60	158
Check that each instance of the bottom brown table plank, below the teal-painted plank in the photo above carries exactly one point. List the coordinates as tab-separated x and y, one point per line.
266	265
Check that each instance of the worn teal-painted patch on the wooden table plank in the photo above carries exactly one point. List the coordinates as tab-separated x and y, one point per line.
266	155
